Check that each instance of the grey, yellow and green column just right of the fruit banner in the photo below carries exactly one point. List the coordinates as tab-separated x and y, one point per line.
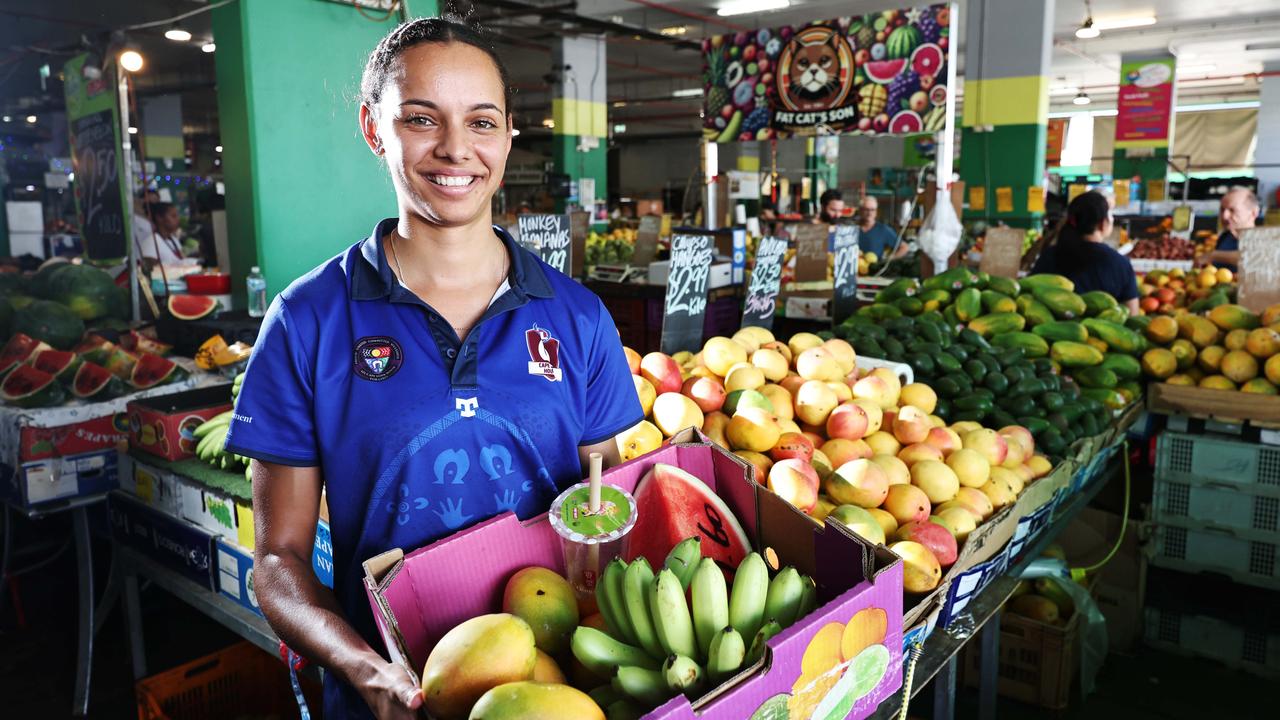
1008	45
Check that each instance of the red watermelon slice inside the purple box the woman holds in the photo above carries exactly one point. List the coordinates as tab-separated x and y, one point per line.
673	505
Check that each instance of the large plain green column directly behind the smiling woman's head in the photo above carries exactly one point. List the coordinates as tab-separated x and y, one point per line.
301	184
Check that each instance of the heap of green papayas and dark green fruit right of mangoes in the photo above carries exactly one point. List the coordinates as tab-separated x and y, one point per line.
1003	352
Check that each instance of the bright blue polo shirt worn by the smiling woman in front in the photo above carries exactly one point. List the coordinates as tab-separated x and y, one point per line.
418	435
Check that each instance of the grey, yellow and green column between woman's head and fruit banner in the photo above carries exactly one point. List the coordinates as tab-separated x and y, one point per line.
580	115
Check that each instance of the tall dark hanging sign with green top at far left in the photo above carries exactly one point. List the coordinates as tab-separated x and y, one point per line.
94	125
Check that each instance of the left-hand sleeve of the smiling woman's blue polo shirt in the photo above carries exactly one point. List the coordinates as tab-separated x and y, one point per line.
275	417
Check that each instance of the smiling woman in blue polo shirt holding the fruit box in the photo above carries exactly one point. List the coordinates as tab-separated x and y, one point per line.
432	376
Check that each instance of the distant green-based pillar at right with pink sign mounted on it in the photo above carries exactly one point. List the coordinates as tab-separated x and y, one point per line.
1142	144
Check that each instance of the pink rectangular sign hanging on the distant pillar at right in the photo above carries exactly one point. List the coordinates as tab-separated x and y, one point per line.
1146	104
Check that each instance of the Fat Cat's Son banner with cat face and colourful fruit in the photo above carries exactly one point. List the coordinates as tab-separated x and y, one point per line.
880	74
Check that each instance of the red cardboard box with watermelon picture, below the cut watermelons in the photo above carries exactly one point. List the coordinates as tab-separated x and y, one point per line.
164	426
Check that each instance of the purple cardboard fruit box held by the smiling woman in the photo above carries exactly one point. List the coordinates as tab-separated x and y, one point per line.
418	598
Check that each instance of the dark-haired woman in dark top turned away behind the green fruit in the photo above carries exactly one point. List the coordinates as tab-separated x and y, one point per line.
1081	254
